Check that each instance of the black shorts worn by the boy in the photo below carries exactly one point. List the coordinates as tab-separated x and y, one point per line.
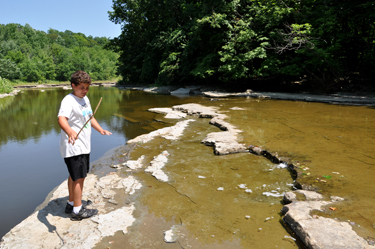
78	166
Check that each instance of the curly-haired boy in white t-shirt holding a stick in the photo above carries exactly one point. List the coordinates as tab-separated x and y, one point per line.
74	111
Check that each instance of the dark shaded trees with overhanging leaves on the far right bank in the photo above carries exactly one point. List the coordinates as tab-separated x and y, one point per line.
327	43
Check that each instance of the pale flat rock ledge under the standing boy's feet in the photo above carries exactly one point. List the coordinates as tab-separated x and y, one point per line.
50	227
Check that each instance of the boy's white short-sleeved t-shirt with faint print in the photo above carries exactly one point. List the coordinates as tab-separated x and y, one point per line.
78	111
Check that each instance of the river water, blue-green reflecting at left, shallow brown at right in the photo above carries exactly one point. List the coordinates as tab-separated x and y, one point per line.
333	143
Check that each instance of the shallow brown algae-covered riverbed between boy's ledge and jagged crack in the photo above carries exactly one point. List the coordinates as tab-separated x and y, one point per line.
239	216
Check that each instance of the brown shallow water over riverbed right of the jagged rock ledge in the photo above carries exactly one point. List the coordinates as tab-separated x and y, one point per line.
323	140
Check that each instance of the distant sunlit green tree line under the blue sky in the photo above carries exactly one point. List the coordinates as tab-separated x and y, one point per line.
36	56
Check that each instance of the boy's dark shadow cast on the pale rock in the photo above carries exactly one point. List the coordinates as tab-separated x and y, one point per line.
54	207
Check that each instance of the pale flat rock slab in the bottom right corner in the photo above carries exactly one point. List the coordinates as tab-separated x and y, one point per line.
315	231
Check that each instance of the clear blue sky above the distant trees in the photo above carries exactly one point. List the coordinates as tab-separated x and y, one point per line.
89	17
